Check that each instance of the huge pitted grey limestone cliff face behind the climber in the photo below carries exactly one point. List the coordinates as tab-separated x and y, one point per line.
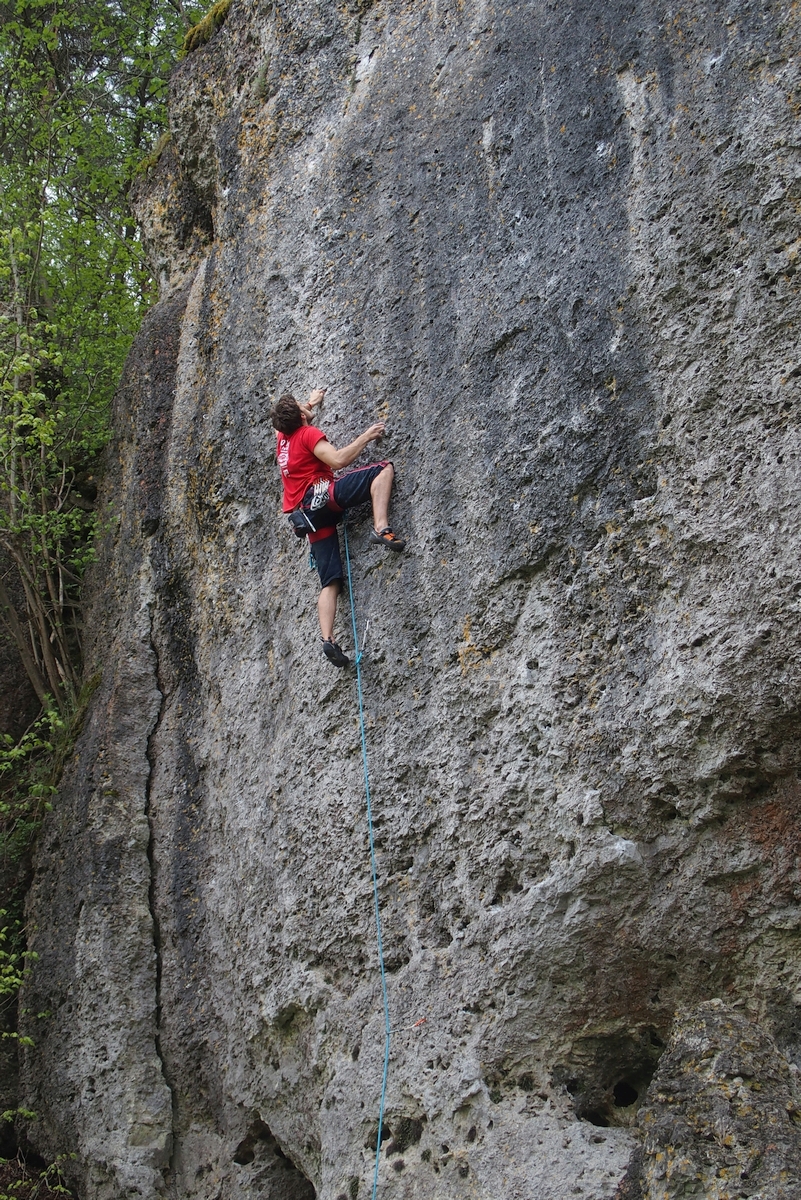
556	248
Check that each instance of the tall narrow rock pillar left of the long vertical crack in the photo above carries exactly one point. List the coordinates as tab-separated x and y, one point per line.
98	1073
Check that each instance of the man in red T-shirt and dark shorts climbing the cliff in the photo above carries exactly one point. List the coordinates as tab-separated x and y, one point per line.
308	461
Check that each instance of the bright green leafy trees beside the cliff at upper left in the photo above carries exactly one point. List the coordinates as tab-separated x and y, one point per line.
85	93
